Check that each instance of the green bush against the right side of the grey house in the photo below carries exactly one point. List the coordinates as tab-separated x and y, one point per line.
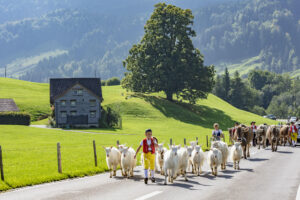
110	118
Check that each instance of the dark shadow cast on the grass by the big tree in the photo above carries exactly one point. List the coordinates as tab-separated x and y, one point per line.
188	113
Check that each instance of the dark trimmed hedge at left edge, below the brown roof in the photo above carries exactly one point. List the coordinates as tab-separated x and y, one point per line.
18	118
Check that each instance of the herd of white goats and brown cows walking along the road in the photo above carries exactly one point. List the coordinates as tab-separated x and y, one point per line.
177	159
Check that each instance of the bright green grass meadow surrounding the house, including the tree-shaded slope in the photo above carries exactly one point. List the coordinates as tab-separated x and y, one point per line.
30	153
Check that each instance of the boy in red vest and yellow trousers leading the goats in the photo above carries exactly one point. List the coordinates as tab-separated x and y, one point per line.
149	145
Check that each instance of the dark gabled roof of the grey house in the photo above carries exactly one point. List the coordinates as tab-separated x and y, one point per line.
58	86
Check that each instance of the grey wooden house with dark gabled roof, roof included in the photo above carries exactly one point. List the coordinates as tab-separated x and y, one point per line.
76	101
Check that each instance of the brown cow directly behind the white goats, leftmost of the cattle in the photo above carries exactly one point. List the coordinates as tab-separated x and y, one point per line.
244	135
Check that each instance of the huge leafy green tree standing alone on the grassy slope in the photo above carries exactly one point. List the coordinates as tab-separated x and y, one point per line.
166	59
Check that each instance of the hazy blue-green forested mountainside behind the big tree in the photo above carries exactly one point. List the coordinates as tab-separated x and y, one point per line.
78	38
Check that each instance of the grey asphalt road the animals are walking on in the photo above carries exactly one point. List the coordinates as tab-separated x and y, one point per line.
264	176
